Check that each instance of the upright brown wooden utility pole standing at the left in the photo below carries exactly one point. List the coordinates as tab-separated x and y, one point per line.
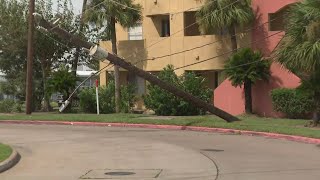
30	57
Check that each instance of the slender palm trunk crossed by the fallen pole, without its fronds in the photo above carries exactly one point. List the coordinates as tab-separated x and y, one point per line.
116	68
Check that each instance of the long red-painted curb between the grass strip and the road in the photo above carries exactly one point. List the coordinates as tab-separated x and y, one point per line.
172	127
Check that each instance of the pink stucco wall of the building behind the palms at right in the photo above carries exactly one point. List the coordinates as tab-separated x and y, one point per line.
231	99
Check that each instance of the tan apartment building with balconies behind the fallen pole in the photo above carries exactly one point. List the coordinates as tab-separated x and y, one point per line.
169	27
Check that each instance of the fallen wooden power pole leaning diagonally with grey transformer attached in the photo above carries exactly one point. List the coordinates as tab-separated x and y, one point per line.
101	54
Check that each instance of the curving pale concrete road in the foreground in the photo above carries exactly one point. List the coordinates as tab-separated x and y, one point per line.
70	153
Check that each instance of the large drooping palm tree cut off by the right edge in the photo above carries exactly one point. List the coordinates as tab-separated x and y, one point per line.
299	50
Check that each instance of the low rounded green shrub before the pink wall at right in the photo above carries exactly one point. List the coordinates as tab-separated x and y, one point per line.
294	103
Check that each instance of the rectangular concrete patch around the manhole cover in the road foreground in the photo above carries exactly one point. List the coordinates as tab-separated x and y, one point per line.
122	174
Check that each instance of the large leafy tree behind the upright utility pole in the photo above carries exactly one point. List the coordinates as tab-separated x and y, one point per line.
49	49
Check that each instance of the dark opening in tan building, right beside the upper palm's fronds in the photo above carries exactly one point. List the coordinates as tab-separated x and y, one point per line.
190	25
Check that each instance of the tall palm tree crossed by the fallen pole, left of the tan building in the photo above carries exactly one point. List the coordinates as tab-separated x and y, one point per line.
107	12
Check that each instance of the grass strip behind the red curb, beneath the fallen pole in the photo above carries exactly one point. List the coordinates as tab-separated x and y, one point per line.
252	123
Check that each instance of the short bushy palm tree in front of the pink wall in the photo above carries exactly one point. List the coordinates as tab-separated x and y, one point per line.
245	68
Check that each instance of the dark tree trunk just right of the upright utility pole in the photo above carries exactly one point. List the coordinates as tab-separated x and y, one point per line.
46	95
